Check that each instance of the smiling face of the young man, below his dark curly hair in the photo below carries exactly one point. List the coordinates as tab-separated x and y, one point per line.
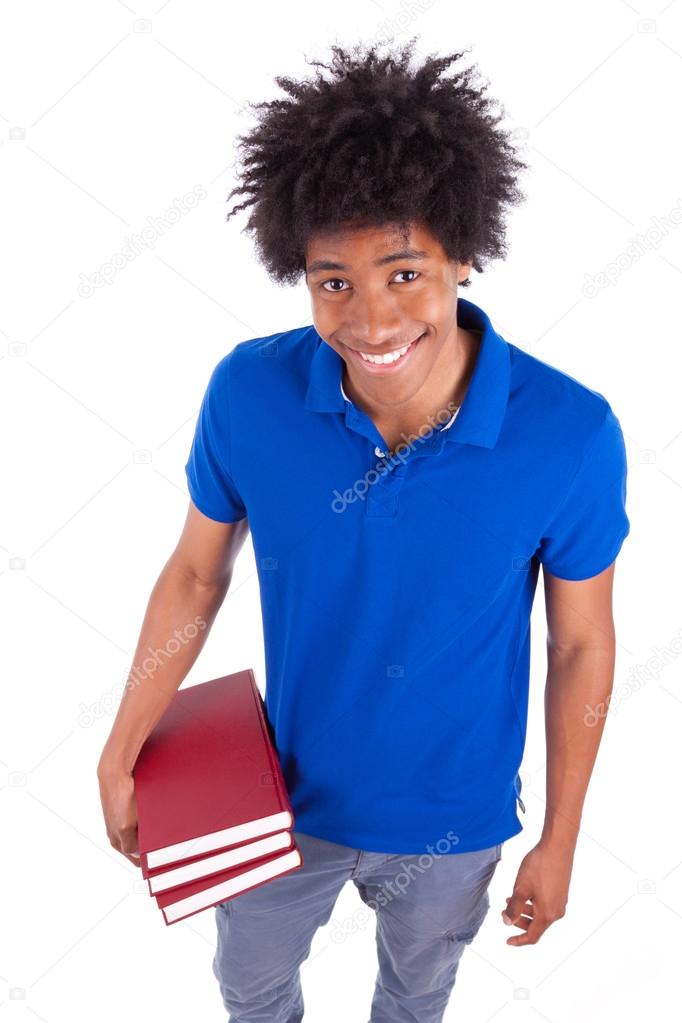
374	292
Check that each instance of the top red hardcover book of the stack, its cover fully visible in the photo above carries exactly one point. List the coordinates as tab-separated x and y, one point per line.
208	778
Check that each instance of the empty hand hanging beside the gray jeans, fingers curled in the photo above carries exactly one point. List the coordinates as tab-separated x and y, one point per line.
540	894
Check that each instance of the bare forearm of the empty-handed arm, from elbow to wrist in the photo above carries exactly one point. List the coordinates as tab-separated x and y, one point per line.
577	681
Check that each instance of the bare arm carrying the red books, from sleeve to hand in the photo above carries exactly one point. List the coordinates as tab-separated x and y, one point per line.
191	589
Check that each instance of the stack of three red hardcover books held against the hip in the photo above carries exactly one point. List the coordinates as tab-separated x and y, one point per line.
214	819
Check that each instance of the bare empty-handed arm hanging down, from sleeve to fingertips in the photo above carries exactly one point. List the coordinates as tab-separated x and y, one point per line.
581	654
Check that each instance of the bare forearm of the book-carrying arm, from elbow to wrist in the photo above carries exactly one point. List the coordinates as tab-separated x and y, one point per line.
179	615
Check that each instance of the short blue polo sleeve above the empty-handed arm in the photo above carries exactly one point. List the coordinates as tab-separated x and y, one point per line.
588	530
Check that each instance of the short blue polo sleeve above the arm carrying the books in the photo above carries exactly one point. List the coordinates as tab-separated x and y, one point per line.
209	481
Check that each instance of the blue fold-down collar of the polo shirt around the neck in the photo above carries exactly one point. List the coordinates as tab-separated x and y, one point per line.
480	418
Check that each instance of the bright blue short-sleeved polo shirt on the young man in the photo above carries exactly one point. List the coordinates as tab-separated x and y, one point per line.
396	588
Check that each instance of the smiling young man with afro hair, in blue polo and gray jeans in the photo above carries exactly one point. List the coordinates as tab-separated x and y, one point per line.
404	472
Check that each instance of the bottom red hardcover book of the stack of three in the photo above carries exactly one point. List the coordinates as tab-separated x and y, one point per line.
198	896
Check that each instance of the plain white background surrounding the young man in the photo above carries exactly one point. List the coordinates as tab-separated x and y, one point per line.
109	113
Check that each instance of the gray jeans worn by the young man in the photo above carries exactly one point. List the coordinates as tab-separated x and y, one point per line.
428	910
